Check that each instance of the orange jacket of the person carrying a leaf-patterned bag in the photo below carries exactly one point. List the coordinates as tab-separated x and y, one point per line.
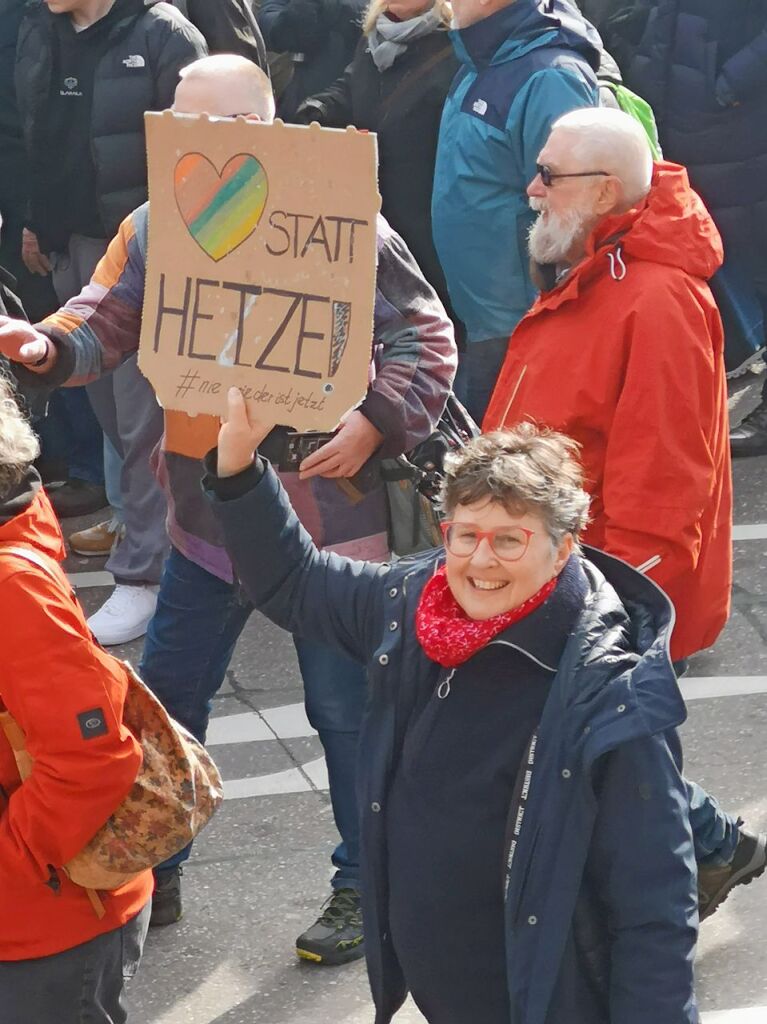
53	677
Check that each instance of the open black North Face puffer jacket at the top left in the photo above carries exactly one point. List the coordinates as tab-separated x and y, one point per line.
157	41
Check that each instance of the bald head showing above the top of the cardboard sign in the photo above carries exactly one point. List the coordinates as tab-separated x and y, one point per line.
225	86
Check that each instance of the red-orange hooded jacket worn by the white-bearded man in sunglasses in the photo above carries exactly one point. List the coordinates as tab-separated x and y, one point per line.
625	356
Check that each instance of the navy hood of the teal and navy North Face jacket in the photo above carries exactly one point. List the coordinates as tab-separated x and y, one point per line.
525	26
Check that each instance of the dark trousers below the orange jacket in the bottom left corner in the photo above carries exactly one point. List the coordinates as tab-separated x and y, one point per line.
82	986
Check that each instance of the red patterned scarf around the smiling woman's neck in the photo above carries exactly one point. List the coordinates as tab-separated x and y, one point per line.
446	632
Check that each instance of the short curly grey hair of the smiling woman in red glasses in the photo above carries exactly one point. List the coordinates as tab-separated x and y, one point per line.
527	470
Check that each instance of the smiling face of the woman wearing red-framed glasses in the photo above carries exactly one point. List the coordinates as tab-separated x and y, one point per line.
484	584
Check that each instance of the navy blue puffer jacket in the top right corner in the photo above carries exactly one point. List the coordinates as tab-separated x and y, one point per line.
703	66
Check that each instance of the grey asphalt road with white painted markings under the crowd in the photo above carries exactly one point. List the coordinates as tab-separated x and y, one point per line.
262	871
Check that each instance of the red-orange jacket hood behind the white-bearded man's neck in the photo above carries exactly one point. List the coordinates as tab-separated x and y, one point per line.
672	227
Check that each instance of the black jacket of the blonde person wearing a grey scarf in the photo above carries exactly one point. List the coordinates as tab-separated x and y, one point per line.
403	105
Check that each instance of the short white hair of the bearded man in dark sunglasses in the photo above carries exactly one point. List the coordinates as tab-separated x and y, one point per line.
611	141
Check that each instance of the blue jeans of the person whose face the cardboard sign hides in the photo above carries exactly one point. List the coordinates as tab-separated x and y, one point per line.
189	647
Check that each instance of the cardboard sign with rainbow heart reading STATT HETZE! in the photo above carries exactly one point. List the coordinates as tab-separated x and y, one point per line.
262	268
